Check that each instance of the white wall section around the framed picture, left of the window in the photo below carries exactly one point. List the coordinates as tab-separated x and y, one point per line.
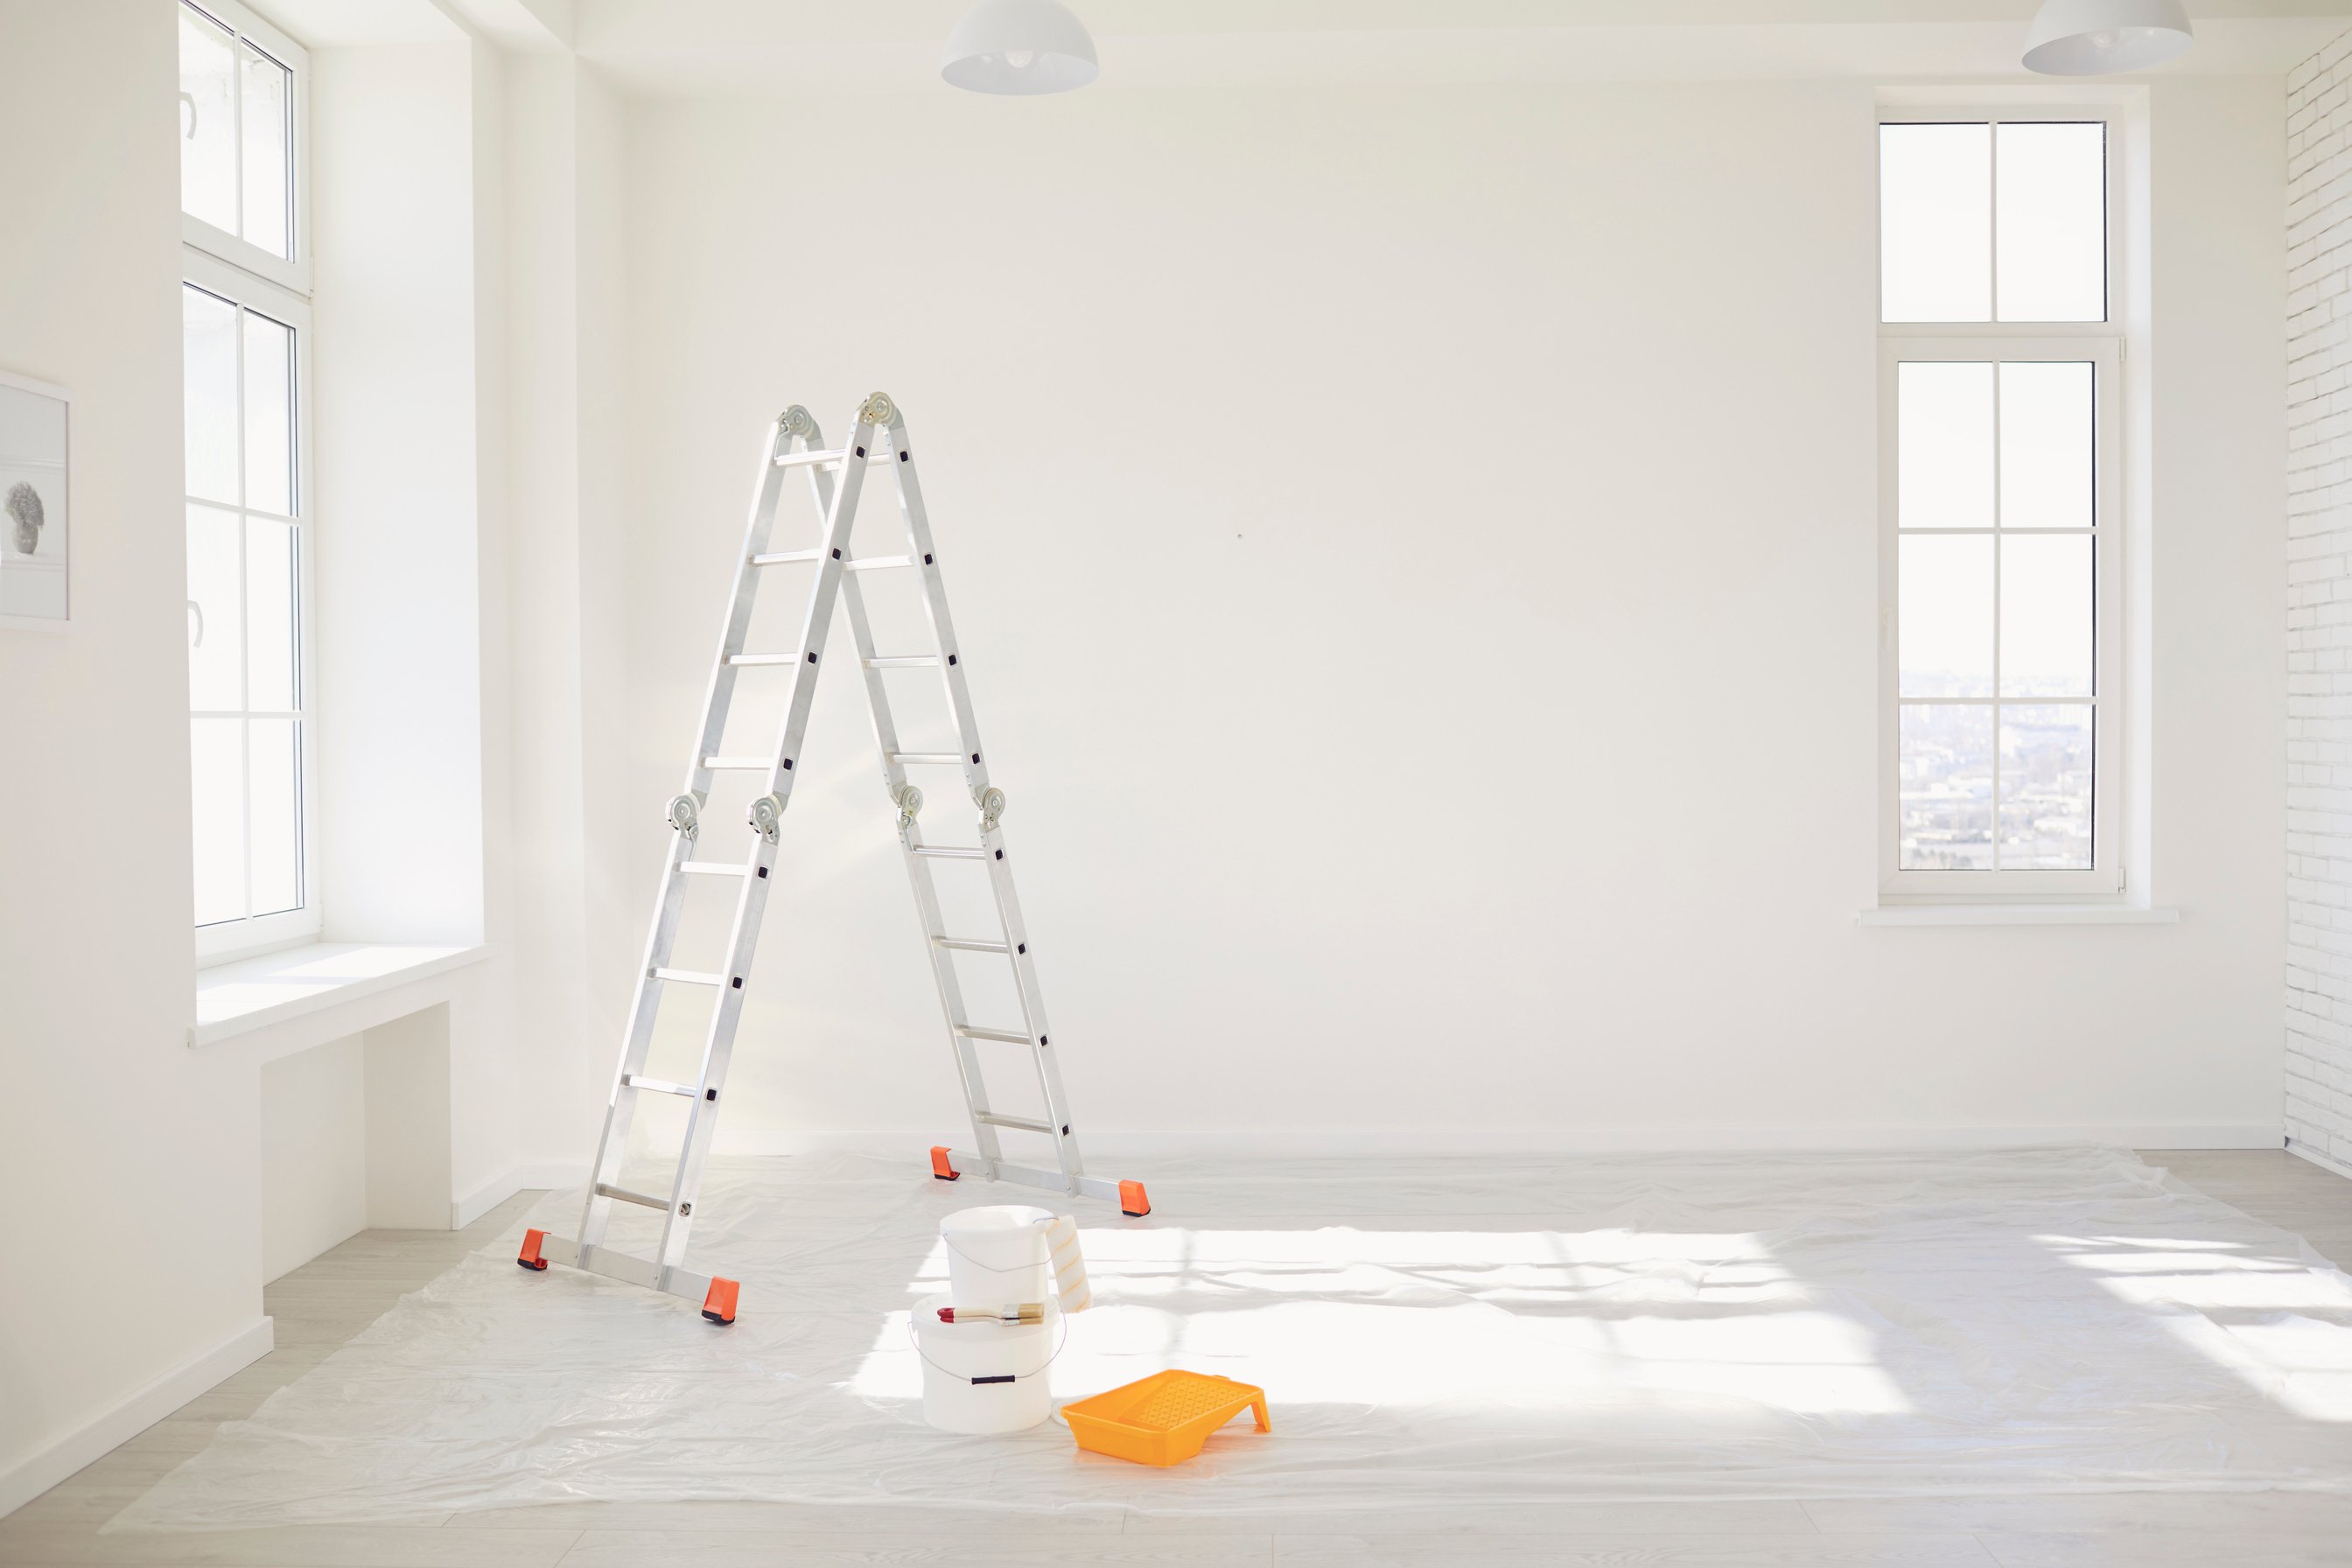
133	1231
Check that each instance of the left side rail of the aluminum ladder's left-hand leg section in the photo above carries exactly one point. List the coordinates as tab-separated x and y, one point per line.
686	824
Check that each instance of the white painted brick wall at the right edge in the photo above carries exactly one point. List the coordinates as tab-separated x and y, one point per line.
2320	603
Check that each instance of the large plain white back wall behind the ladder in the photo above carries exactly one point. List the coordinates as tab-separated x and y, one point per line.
1415	556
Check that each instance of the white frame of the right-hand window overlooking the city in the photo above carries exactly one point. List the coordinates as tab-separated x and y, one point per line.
1993	342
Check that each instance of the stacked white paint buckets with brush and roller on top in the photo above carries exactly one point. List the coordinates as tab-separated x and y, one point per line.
989	1343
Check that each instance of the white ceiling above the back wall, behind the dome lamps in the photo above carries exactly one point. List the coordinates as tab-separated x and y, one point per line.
688	48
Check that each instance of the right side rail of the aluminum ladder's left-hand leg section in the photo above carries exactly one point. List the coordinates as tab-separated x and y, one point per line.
768	824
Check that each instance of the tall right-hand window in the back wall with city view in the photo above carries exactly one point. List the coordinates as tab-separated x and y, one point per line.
1998	462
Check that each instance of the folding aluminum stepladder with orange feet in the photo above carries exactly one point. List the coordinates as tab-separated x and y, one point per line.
836	481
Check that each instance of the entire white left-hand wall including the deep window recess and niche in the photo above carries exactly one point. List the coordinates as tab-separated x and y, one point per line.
156	1195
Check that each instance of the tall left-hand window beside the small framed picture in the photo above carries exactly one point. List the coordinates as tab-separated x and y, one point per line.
246	384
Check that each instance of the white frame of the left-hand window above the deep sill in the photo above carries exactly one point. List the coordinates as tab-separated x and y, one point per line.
243	274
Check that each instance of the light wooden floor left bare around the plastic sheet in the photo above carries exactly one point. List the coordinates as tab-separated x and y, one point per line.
328	1301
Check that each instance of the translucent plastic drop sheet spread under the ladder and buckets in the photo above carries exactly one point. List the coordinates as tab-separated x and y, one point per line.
1429	1332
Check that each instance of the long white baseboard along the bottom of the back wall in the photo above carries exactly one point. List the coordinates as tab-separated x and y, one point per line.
1553	1141
